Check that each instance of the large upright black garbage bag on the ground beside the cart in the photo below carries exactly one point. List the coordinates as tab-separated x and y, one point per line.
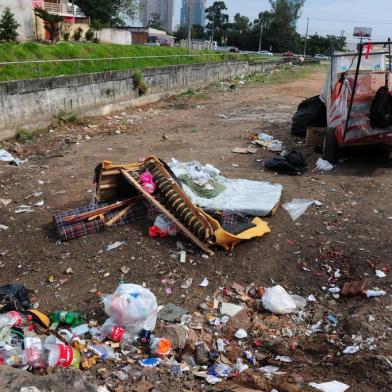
310	113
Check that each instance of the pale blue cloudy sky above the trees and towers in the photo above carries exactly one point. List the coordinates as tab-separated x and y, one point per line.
326	16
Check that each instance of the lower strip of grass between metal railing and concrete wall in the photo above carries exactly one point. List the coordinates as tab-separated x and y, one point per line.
19	70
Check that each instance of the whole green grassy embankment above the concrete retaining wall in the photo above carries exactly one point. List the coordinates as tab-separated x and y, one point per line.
75	50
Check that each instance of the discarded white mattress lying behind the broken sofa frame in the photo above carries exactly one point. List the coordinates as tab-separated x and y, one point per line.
255	198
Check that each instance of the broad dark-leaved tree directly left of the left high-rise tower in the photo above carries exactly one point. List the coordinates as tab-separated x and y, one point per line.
108	12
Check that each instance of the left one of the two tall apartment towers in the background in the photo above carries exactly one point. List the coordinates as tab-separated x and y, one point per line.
164	8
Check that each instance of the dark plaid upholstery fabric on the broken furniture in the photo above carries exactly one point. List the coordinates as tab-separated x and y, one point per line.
69	231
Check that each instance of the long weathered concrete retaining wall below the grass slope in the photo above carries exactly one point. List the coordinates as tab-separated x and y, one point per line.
32	103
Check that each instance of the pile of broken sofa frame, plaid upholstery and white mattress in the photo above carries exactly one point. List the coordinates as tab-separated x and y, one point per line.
197	201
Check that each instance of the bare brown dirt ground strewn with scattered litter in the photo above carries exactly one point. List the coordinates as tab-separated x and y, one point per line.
354	222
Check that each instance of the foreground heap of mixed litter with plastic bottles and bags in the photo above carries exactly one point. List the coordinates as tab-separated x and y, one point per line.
240	336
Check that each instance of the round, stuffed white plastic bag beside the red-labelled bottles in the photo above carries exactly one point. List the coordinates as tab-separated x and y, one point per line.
132	307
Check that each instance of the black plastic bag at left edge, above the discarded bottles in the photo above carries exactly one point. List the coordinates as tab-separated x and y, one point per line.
14	297
